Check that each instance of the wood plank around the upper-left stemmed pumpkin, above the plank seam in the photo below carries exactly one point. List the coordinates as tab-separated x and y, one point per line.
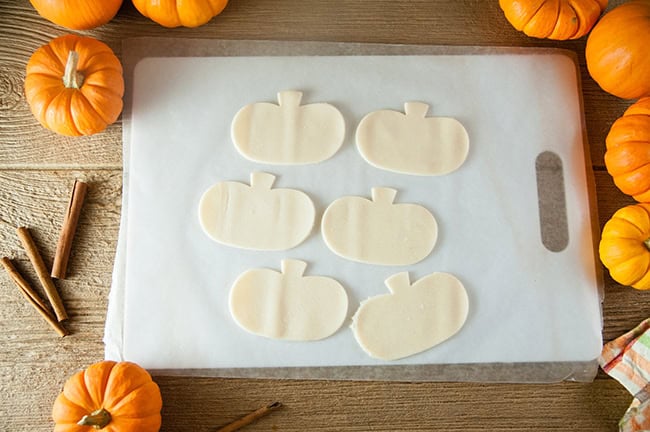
25	143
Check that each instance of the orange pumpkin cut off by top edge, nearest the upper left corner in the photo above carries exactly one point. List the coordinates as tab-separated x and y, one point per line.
77	14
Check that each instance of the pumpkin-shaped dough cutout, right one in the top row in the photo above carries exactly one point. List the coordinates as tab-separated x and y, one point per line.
412	143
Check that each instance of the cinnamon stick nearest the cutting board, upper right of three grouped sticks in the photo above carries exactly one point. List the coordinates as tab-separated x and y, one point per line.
64	246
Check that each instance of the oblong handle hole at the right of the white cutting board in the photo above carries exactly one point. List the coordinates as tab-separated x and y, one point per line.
551	197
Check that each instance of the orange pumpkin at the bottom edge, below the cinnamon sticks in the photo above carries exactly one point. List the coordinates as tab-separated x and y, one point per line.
111	396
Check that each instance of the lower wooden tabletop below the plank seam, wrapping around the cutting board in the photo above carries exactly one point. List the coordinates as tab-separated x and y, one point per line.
34	363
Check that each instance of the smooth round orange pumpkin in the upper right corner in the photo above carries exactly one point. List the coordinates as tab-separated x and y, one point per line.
617	50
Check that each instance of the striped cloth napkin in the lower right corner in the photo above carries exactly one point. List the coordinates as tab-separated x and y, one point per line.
627	359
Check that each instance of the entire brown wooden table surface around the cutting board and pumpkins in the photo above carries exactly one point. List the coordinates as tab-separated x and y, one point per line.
37	169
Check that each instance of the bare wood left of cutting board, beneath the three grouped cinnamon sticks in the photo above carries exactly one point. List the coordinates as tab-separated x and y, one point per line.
34	362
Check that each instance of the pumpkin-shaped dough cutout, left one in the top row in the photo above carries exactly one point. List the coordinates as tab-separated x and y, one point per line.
288	133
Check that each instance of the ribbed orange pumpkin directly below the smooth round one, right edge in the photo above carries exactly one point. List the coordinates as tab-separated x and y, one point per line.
627	157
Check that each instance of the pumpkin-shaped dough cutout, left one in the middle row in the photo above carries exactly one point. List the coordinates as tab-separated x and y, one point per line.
256	217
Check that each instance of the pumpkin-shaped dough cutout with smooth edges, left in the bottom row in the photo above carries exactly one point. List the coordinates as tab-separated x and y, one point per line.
288	305
